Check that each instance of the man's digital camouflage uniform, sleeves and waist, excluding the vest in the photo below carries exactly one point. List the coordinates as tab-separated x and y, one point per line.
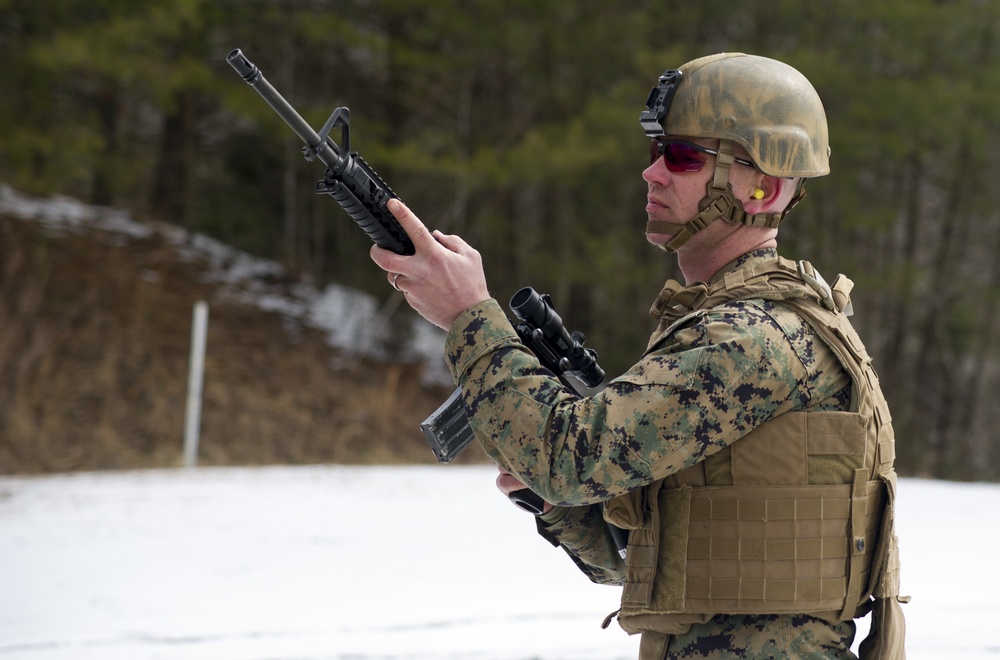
718	376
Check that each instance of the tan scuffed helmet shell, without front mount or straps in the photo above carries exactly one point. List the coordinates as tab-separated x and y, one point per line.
766	106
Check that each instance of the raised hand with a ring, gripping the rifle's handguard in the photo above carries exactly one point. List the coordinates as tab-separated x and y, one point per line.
442	279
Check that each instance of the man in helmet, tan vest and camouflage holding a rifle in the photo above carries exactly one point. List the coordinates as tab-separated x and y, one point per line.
749	451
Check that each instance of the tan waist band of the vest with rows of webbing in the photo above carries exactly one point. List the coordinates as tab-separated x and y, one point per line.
755	549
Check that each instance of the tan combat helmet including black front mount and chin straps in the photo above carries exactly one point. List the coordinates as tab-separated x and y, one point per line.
765	106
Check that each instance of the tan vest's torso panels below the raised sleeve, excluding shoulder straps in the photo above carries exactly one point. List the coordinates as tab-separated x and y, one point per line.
775	541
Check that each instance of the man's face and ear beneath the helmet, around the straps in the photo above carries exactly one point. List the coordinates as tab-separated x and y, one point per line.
673	197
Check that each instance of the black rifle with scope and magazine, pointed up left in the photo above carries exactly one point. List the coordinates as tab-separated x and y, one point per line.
364	195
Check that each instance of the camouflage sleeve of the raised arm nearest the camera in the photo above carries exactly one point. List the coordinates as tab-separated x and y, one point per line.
694	392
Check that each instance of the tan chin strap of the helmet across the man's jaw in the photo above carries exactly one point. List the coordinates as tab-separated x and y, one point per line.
718	202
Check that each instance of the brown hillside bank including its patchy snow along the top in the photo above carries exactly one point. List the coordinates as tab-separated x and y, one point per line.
96	314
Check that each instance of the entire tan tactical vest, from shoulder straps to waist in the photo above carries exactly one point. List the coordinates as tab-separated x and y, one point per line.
796	516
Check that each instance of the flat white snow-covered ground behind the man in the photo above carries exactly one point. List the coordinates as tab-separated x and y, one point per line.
376	562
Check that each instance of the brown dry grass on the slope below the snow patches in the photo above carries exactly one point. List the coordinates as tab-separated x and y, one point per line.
94	364
